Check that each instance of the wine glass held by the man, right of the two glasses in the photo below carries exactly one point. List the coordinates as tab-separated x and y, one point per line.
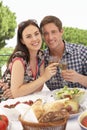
63	66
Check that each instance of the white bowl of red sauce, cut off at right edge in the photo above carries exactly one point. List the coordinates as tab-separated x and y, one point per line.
82	120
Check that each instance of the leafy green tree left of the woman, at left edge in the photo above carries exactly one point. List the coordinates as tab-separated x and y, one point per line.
7	24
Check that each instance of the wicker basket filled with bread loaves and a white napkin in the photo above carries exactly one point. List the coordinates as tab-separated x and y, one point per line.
45	117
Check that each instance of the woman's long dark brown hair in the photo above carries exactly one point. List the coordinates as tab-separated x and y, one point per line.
20	46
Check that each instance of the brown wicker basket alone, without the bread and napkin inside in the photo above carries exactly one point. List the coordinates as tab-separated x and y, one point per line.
60	125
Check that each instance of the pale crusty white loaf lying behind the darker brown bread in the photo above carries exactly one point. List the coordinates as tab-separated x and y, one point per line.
41	108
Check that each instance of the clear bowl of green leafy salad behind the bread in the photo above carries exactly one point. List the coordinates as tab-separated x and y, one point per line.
75	93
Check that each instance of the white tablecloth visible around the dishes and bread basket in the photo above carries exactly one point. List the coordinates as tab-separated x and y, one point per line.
44	94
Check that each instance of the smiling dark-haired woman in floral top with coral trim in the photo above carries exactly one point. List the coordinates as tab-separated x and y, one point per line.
25	72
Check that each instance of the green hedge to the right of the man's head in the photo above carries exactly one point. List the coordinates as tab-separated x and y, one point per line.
75	35
